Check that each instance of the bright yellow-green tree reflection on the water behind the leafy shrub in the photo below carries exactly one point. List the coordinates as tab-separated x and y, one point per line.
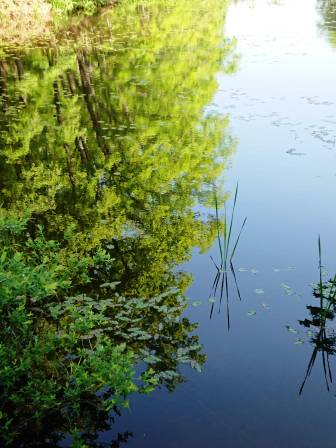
111	142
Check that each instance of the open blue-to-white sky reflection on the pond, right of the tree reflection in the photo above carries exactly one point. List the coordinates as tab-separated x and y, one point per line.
282	111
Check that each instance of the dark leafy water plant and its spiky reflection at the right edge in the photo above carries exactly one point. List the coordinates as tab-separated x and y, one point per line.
322	336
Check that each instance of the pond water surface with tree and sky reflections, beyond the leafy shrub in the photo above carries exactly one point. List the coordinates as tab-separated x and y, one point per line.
124	132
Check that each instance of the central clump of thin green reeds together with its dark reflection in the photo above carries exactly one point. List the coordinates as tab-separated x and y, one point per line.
225	242
